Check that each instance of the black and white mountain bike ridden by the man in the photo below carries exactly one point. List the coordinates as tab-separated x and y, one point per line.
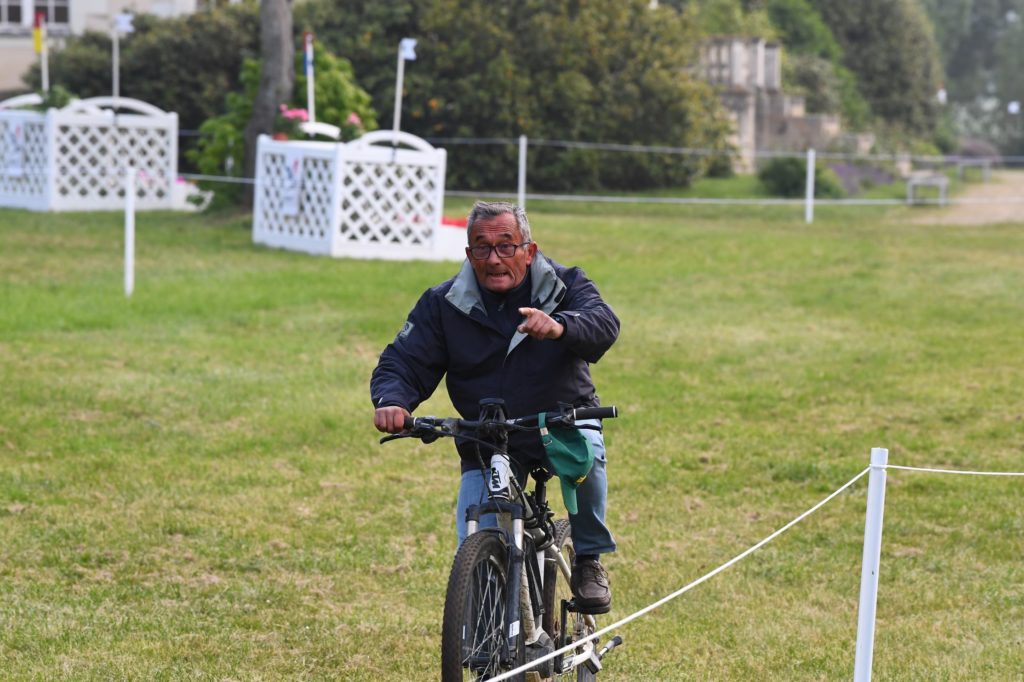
508	600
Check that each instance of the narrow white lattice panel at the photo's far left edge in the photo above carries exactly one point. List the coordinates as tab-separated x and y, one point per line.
23	160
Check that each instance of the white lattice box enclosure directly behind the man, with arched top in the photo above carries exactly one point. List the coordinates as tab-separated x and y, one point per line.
366	199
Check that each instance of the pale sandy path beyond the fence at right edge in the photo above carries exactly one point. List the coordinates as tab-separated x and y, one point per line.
1004	185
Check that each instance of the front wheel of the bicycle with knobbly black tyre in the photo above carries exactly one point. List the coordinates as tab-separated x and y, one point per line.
475	612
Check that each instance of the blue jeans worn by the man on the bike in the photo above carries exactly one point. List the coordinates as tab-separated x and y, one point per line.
590	535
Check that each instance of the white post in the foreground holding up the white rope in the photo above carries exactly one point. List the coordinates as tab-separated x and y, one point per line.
871	562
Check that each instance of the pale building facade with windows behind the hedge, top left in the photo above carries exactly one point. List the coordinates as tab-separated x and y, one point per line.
64	18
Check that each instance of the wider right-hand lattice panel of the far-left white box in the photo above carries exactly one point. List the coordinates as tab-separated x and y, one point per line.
94	152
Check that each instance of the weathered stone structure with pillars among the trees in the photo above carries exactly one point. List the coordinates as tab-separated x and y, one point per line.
748	74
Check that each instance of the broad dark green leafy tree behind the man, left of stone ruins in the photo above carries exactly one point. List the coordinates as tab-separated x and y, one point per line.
603	70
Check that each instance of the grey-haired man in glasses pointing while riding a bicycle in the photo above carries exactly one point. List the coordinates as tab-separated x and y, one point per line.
518	326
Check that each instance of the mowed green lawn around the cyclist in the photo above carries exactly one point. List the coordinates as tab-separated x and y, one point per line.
191	487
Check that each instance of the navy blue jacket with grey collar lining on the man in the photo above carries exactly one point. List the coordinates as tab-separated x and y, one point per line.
449	332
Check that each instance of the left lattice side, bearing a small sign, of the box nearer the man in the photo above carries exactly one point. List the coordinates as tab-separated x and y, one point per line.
310	228
